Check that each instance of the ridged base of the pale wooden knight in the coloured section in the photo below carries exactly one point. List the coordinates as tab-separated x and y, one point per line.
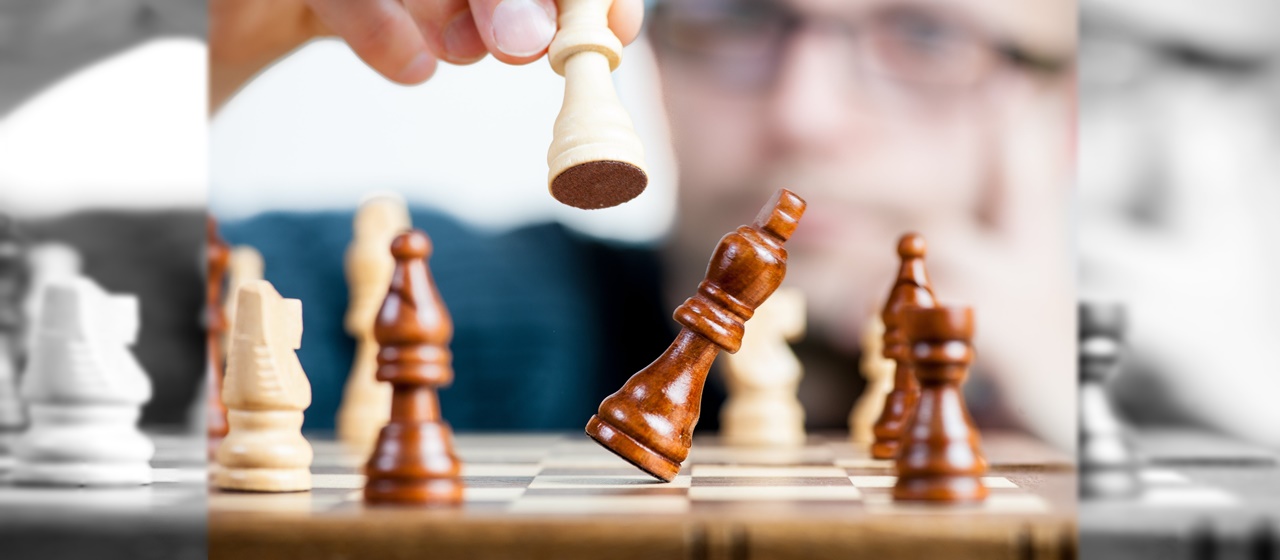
264	452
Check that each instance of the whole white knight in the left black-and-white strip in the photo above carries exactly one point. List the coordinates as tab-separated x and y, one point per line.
85	392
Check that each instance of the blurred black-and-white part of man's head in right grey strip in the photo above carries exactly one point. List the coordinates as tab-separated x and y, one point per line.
1180	143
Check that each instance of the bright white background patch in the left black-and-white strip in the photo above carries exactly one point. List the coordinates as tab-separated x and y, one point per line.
129	132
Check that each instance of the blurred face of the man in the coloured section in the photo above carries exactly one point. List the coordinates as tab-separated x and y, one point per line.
876	112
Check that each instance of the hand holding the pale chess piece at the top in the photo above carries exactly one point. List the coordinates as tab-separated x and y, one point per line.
403	40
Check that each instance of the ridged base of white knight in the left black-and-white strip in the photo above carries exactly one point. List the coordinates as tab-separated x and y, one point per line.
83	446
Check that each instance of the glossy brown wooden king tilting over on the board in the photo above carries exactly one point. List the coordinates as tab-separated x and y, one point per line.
651	420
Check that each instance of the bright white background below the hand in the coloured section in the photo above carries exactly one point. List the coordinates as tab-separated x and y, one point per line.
321	130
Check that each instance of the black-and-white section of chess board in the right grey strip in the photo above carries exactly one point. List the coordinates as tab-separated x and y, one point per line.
1205	497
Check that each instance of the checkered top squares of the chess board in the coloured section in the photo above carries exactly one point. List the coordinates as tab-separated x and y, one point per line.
574	476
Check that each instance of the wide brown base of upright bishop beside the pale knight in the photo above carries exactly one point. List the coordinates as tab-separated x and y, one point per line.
414	465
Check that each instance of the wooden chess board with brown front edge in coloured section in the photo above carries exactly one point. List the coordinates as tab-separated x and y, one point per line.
565	497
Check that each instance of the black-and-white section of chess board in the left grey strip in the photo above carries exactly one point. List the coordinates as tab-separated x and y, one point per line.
163	521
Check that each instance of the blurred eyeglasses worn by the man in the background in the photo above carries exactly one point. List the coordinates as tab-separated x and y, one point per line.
926	47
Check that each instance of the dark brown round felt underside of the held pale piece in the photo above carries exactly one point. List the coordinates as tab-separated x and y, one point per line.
600	185
